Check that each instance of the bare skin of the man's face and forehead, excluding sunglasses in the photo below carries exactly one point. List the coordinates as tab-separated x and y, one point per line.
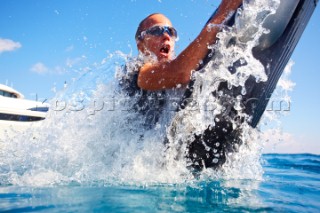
162	46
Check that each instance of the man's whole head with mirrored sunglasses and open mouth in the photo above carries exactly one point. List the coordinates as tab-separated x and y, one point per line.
156	35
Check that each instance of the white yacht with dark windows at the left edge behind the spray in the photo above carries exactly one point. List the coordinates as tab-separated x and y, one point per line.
18	114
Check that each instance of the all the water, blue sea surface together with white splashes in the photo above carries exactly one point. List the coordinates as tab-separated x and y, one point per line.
93	152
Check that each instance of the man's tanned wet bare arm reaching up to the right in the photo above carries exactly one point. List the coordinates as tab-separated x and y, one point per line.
165	75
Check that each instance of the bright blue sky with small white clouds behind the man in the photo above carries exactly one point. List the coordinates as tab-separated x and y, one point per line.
44	43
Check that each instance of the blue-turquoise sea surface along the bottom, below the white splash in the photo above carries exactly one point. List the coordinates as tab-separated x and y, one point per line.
291	183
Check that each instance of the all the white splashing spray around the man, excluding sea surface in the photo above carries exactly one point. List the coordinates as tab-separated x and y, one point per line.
91	135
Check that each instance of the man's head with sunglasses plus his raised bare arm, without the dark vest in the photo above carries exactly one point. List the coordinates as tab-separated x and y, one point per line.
156	36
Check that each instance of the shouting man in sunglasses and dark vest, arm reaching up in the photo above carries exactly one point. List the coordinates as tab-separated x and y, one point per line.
148	80
